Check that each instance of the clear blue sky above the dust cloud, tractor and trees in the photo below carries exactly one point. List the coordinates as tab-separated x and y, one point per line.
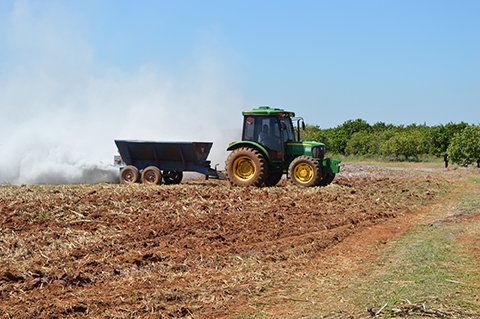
399	62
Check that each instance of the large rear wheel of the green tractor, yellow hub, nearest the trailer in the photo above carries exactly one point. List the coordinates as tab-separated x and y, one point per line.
246	167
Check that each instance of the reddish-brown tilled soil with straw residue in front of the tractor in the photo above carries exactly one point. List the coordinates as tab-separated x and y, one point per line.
200	249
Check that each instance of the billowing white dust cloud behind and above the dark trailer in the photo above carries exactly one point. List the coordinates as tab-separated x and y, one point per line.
60	112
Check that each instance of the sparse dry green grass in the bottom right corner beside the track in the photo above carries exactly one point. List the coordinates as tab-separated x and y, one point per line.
429	267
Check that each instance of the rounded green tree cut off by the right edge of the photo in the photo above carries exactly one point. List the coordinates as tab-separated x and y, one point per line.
464	148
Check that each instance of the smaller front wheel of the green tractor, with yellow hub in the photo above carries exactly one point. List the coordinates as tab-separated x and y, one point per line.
305	171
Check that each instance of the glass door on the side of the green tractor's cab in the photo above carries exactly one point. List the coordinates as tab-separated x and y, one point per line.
267	131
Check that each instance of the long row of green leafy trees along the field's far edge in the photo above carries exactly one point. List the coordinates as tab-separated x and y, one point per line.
461	141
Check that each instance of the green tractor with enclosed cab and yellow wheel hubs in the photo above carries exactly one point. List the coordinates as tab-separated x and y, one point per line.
270	148
